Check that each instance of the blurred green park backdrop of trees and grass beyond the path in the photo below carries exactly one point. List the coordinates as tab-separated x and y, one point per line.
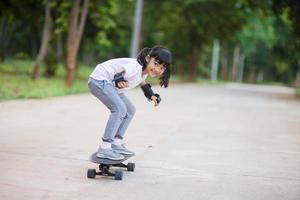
49	48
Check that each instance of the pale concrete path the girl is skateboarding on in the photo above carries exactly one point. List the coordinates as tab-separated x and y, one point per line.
220	142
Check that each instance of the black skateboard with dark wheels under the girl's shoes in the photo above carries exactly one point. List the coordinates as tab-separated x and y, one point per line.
106	164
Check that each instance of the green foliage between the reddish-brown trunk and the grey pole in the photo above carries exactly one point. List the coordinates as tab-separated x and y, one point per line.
108	31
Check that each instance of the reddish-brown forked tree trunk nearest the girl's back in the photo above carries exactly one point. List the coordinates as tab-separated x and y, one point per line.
77	21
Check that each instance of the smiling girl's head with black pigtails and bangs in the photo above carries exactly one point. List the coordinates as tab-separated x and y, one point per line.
156	61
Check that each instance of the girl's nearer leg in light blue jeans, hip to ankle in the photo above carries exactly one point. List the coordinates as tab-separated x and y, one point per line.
109	96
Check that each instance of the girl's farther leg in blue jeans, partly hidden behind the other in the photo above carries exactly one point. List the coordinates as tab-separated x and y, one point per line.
128	117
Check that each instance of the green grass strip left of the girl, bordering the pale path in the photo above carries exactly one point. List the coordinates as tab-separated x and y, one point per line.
15	82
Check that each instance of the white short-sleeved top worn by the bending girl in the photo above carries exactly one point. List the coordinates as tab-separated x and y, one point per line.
130	66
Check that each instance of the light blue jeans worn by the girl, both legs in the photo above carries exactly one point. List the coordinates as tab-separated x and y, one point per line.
122	110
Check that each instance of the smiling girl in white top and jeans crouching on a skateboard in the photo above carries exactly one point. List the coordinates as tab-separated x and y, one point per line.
112	78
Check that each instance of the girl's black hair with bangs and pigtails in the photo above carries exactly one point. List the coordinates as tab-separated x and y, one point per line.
163	56
